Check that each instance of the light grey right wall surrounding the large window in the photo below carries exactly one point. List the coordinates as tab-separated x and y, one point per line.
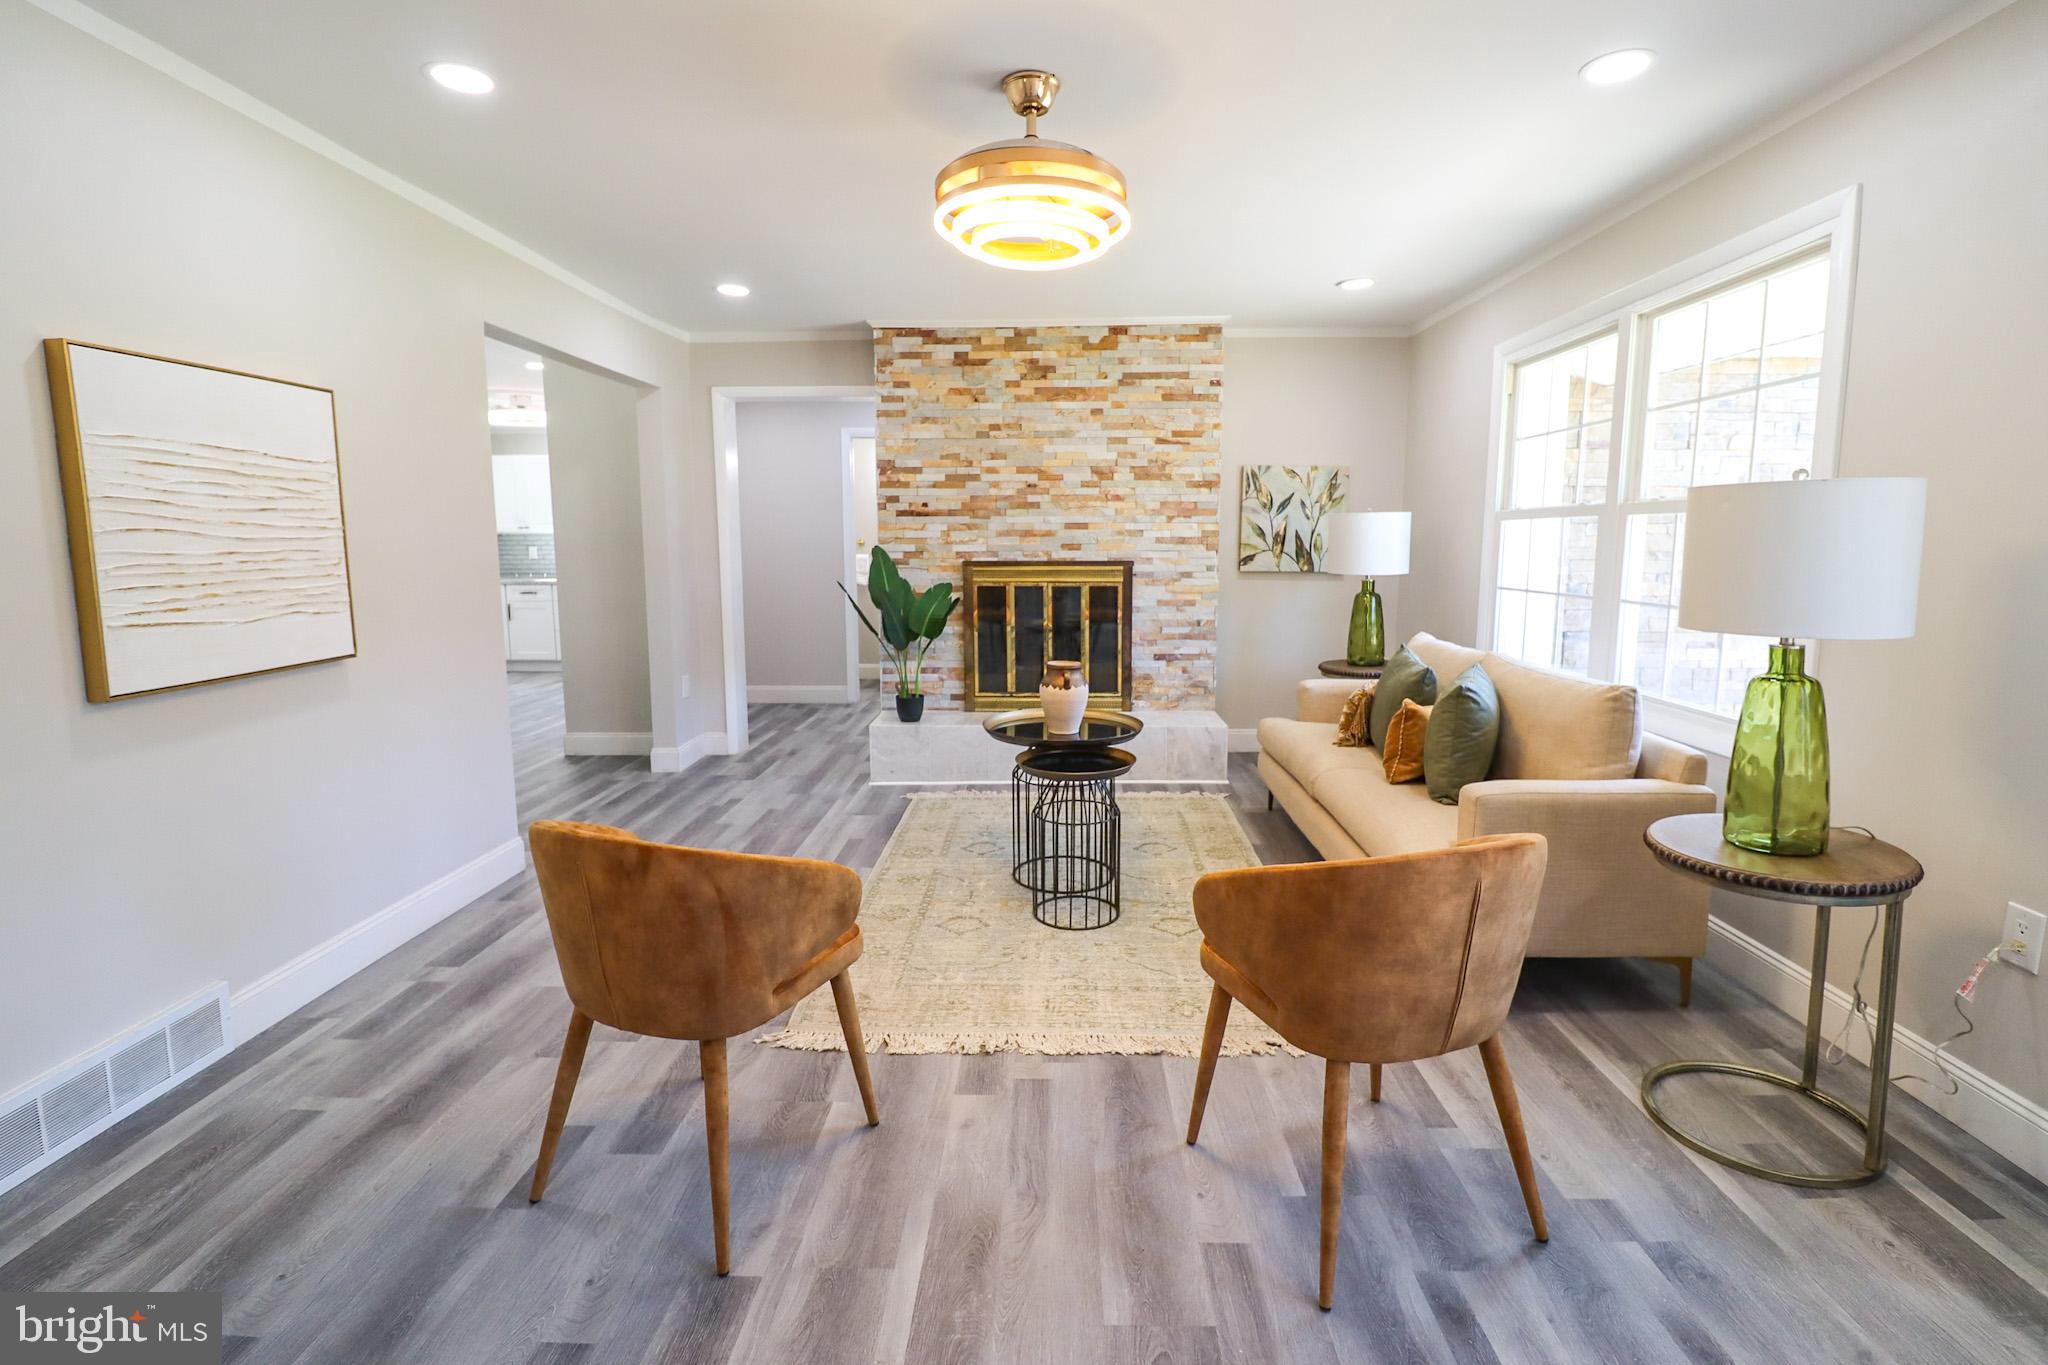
1938	742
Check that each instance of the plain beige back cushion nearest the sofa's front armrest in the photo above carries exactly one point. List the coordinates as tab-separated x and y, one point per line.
1564	730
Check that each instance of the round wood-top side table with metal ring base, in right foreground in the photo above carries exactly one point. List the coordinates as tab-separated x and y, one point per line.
1854	871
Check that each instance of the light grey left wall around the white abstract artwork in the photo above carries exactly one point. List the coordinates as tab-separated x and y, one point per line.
163	844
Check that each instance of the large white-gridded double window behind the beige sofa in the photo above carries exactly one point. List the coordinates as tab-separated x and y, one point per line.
1721	376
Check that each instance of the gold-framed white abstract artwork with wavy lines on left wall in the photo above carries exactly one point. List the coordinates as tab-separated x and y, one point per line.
206	521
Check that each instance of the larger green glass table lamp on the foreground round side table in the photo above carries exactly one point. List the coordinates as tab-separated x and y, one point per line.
1826	560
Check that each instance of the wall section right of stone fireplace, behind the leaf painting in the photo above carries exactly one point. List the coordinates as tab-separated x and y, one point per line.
1302	402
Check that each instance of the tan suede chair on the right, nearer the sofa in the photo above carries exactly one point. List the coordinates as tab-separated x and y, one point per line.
1377	961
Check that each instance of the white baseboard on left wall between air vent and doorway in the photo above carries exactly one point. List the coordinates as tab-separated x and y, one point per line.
321	969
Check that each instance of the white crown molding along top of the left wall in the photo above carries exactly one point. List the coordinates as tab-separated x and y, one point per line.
206	83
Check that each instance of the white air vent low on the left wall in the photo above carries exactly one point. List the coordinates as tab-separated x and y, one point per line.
69	1106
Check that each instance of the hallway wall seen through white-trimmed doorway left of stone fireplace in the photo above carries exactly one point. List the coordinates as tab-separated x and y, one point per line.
794	545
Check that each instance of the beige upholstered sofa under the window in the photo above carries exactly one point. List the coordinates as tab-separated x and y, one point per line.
1574	766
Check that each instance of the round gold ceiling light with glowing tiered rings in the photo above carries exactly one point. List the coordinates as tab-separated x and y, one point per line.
1031	204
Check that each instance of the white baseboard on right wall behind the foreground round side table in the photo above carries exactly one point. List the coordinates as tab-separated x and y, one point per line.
1990	1110
